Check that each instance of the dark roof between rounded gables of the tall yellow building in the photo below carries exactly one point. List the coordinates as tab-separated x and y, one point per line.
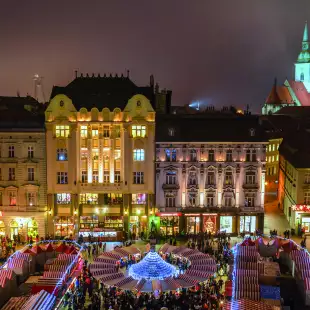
102	92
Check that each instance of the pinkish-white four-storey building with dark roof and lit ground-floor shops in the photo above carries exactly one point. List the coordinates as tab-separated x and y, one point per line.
210	174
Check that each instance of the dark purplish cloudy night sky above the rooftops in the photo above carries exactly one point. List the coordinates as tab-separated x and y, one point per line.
217	51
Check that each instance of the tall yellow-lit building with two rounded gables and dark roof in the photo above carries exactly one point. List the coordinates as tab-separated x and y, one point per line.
100	152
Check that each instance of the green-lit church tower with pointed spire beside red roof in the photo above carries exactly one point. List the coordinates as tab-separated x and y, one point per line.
302	66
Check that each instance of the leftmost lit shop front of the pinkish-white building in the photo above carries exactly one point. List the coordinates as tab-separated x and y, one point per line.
169	223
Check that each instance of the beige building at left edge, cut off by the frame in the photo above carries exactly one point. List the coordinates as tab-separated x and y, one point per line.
22	168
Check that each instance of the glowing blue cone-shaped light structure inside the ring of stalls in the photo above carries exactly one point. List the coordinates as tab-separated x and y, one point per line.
152	267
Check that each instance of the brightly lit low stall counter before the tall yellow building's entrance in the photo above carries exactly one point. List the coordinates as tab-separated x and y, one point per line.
101	234
